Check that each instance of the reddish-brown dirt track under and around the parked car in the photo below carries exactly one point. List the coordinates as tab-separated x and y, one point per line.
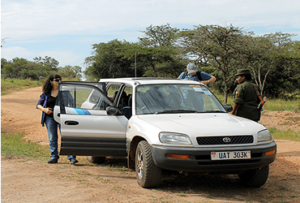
25	180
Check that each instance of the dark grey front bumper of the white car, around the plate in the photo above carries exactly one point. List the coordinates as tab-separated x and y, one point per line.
200	160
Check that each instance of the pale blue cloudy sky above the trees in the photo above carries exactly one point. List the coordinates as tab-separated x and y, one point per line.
66	29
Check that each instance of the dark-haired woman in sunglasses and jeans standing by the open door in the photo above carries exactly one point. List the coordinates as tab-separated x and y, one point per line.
46	105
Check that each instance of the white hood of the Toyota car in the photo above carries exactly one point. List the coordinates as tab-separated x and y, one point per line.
204	124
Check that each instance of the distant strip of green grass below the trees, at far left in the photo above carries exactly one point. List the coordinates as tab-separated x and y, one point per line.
9	85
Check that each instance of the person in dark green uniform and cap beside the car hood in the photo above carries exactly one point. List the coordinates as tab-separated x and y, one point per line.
245	97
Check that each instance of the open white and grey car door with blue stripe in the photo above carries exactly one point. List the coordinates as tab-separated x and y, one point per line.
86	129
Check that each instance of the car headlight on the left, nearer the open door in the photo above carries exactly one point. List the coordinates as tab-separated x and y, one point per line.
174	138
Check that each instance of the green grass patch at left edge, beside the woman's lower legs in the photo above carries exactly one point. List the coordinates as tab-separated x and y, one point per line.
15	145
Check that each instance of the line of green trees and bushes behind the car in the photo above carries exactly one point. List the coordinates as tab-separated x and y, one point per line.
164	51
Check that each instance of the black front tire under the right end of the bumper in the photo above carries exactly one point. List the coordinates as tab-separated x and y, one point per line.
256	177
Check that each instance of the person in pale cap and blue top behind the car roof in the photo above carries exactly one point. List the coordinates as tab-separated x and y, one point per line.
193	74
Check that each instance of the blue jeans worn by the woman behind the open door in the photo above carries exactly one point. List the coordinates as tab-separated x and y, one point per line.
51	126
